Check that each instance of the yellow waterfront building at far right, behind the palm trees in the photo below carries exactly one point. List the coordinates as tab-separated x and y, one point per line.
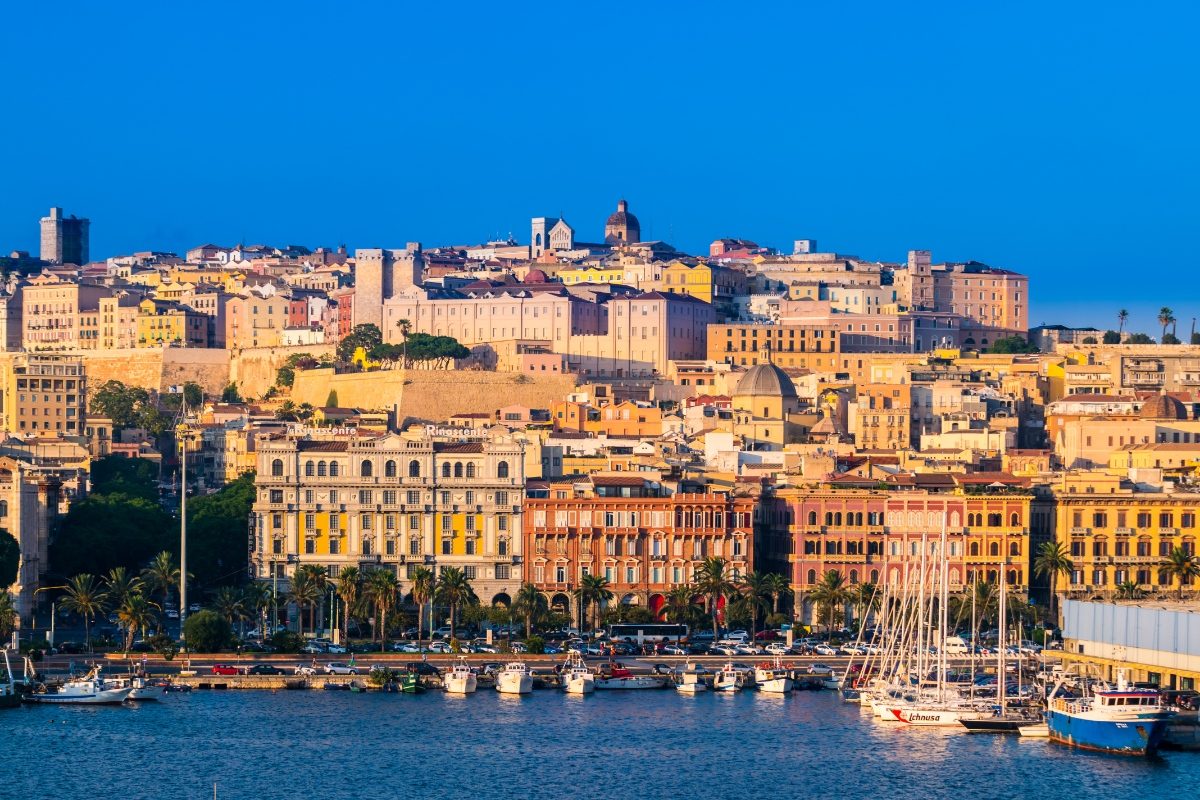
1117	534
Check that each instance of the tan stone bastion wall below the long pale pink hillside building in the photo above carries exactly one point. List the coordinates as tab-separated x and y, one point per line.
431	395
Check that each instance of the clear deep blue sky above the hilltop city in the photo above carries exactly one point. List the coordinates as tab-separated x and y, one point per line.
1057	140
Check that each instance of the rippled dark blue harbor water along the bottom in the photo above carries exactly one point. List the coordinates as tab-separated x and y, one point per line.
614	745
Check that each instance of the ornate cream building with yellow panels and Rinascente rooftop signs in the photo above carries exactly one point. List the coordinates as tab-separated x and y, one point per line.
393	502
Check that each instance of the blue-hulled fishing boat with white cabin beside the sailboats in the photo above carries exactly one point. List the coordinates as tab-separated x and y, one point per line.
1123	720
